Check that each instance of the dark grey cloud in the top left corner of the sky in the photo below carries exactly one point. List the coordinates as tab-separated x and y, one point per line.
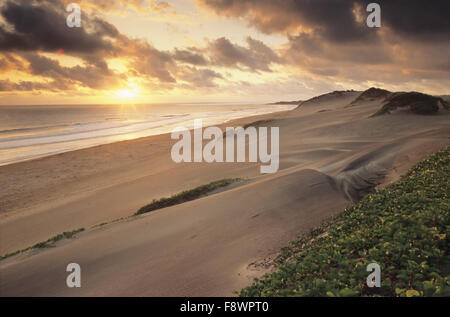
41	27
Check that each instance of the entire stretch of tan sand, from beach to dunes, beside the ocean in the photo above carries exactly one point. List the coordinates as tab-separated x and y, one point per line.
331	153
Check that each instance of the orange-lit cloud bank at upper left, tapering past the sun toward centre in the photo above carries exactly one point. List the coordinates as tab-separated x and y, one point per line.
35	29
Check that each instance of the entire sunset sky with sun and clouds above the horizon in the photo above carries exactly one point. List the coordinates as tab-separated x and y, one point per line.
148	51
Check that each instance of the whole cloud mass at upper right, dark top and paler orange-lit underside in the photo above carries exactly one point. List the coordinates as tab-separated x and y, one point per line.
331	38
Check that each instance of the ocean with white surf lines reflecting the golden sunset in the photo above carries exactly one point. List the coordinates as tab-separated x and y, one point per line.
28	132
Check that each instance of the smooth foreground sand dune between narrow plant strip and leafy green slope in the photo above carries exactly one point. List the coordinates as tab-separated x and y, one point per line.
198	248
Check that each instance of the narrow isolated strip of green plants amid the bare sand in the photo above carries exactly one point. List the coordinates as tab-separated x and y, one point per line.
186	196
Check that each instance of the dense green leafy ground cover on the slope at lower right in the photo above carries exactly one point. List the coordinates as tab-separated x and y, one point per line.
405	228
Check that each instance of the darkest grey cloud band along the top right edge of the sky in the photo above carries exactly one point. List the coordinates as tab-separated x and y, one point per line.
335	20
